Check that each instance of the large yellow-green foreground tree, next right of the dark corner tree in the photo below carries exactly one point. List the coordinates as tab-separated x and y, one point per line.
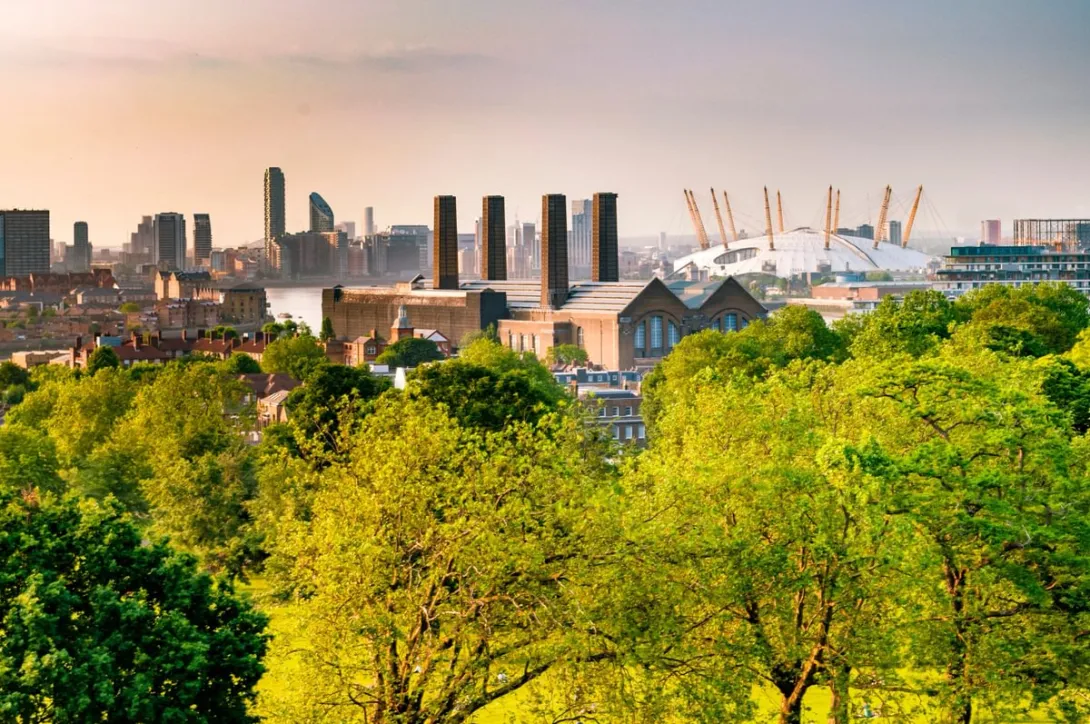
440	571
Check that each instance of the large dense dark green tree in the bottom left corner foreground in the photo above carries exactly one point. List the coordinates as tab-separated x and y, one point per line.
101	626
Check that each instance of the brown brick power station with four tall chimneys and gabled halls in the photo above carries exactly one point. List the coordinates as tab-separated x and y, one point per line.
621	324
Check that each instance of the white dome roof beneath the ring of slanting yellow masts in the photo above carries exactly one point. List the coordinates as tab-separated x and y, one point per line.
801	251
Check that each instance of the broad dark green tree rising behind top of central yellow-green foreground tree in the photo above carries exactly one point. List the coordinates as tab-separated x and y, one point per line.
479	397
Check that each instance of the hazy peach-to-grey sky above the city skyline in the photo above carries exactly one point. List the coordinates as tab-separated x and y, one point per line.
117	108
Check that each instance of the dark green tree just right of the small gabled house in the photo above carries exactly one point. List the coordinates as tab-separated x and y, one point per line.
332	392
